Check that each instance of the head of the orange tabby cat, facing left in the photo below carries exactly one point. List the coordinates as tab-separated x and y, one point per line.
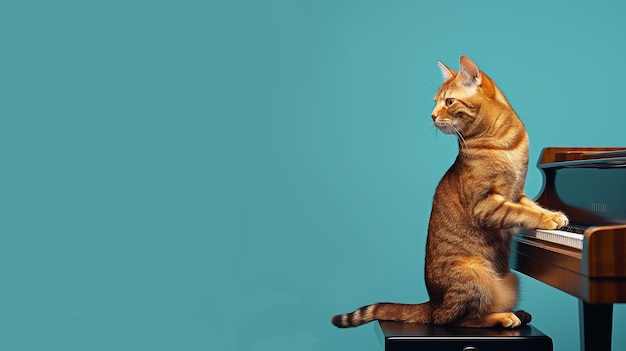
459	100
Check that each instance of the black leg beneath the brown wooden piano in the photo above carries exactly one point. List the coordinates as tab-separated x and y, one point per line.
596	323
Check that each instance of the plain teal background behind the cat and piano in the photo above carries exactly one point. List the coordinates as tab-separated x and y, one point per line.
193	175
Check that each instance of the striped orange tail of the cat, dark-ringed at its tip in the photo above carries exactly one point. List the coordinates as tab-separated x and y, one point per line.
385	311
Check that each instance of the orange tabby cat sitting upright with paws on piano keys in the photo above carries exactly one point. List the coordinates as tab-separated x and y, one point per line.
477	206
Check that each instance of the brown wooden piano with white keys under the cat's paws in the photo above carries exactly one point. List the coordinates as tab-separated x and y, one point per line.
588	258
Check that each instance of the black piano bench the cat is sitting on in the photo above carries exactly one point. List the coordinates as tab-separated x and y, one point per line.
398	336
